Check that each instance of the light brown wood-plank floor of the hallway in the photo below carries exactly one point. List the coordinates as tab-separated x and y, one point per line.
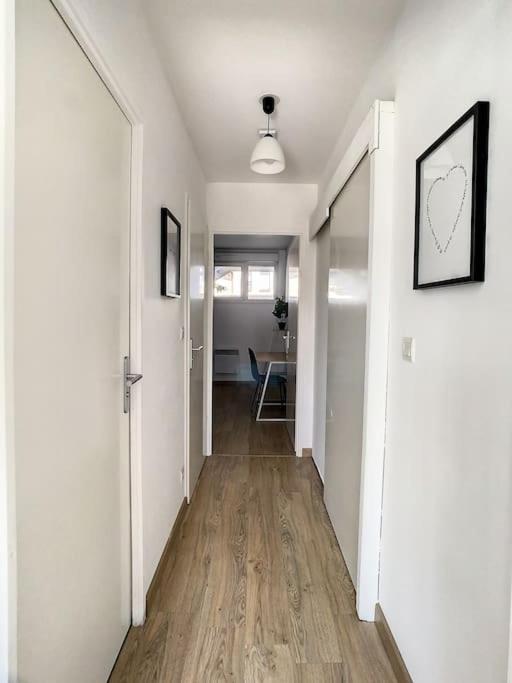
255	589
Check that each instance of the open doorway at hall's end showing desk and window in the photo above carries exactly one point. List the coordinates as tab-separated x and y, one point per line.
254	344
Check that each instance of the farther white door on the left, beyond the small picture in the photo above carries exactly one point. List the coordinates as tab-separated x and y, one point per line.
196	285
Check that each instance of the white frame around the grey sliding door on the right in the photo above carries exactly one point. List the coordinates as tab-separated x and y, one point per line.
374	137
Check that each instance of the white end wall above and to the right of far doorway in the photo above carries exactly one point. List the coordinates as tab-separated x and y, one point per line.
276	208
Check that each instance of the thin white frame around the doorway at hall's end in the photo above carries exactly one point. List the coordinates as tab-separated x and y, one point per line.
300	382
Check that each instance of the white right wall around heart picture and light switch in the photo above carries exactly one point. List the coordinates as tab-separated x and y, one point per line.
447	523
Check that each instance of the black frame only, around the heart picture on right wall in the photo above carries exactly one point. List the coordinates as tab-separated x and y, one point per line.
480	114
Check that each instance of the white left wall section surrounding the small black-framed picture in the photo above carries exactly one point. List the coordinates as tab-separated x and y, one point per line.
170	169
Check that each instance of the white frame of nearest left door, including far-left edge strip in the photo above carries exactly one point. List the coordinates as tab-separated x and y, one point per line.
78	28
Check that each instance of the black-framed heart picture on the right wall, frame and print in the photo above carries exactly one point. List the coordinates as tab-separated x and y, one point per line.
451	197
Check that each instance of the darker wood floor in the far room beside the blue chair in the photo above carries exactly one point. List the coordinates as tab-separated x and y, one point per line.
236	432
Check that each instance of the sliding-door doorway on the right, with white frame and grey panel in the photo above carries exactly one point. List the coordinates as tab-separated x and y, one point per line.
353	291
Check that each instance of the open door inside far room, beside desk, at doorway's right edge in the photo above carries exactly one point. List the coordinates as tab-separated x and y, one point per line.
292	296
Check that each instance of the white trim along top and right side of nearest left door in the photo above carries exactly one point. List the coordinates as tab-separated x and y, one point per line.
78	28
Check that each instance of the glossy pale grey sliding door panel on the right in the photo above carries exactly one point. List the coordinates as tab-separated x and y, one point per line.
346	349
